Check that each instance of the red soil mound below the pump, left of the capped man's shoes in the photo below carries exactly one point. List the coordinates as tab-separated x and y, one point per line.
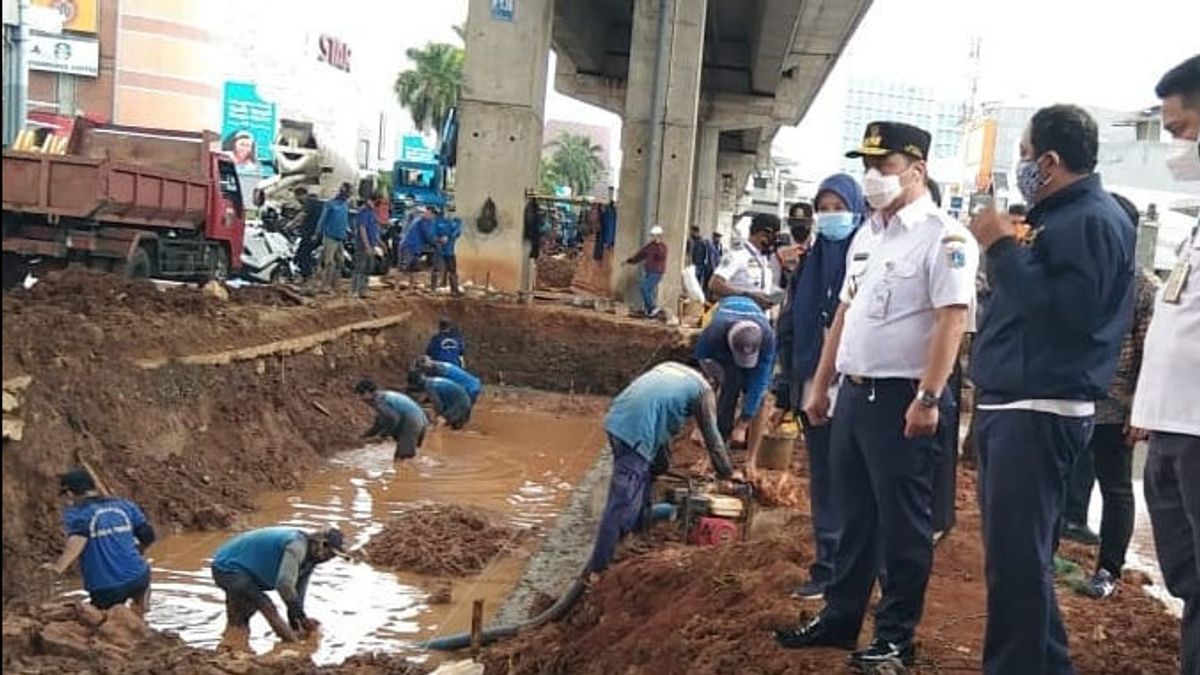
679	610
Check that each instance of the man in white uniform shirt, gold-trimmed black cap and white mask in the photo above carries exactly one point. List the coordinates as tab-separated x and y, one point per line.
908	298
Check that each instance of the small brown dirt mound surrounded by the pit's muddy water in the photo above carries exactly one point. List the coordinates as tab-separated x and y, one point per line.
441	540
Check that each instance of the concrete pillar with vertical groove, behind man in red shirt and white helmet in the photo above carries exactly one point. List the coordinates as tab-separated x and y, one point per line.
671	193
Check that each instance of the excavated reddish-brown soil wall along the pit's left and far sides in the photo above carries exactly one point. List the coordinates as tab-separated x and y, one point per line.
195	444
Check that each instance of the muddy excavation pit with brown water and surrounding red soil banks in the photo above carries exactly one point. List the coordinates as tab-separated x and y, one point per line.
219	415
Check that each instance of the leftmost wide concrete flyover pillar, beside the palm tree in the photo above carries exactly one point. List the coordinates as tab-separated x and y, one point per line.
501	138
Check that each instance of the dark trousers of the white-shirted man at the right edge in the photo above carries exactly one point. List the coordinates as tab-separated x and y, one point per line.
1173	495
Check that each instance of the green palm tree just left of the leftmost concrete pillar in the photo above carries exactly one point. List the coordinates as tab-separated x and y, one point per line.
433	86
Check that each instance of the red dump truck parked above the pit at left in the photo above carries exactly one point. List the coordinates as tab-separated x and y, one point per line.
142	202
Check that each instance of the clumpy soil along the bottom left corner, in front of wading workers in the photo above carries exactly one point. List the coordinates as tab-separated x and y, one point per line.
69	638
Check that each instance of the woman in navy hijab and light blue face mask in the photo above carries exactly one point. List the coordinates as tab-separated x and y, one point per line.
813	296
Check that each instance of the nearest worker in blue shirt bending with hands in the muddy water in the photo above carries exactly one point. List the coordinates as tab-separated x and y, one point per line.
272	559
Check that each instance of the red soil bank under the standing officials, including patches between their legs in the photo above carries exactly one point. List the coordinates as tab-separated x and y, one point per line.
665	608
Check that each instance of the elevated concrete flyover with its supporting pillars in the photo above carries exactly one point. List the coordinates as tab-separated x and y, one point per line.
695	122
